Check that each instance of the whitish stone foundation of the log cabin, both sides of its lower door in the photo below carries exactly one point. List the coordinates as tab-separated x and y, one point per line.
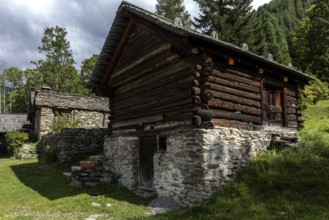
196	163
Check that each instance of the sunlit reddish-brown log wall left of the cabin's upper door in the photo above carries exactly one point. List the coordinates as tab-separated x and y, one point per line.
227	98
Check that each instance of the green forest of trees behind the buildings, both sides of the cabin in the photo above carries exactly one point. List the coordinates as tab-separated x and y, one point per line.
294	32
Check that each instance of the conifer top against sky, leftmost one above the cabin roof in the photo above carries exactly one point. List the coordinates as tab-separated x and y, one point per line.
171	9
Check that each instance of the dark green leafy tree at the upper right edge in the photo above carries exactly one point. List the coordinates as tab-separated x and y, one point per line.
310	43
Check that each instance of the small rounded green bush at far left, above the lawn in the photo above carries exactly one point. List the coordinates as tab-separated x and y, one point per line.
15	140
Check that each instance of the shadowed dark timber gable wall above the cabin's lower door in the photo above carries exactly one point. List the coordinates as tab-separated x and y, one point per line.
151	84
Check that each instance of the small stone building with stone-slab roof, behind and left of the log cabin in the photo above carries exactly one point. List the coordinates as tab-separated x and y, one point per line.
89	111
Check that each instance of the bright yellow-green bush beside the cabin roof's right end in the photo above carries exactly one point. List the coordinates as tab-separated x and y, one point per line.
316	91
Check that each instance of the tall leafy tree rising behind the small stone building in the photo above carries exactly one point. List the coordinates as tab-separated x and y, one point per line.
57	68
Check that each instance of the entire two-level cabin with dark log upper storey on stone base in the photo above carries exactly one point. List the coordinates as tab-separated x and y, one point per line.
188	110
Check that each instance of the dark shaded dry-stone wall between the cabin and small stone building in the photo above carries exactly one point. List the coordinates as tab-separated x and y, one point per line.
73	142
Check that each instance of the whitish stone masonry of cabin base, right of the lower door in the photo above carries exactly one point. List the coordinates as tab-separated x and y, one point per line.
198	163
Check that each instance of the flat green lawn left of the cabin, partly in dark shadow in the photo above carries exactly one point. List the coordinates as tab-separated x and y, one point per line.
34	190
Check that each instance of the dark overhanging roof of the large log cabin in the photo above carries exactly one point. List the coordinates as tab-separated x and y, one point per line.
127	11
